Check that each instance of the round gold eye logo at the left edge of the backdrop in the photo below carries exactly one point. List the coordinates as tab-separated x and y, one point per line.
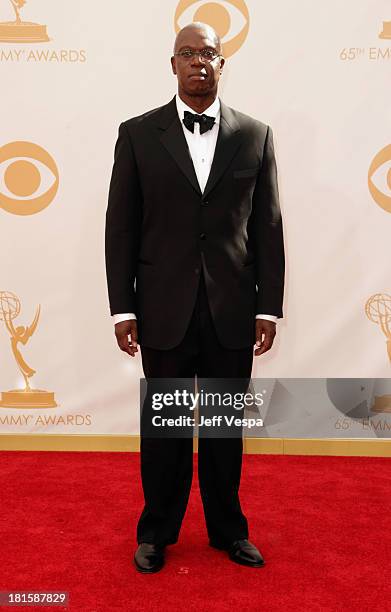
28	178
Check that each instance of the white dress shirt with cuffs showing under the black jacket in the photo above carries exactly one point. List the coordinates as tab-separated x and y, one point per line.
202	148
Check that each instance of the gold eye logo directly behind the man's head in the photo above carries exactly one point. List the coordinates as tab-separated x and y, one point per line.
230	19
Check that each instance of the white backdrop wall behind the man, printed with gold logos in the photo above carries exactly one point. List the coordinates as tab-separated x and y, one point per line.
107	62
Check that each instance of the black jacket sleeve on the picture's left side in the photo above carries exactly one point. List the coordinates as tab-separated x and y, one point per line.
123	226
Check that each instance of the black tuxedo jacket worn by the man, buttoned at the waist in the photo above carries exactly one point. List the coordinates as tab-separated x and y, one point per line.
160	228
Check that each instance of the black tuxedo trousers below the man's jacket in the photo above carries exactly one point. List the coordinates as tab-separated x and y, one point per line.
167	463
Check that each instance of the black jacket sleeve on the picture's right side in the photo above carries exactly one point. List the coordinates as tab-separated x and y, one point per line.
267	233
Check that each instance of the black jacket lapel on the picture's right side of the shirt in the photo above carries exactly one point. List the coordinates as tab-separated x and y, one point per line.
228	141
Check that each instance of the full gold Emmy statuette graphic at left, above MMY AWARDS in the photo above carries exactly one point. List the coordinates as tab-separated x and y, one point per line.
27	397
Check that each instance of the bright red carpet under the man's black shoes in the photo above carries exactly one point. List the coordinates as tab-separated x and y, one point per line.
322	523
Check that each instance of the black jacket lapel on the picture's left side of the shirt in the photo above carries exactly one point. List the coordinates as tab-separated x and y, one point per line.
173	139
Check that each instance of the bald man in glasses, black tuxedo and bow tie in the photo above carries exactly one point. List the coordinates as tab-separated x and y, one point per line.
194	218
